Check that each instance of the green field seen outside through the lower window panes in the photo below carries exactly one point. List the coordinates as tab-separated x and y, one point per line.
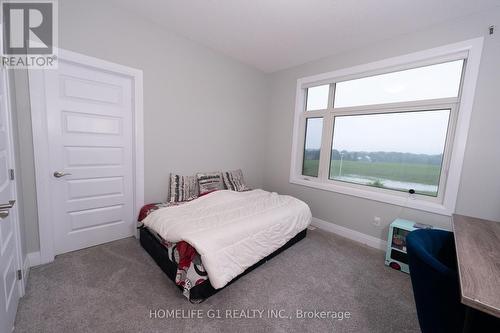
401	172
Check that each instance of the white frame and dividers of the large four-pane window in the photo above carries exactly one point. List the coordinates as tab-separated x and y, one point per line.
456	137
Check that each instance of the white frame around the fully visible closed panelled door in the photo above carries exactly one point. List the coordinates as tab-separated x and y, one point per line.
41	142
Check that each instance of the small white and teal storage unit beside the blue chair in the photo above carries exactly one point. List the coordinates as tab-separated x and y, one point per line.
396	256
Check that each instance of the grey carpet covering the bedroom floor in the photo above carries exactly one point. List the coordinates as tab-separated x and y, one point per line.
113	287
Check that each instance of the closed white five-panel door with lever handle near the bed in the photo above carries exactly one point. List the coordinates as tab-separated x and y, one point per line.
90	135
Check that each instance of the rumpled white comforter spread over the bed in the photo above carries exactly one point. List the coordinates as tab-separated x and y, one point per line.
232	230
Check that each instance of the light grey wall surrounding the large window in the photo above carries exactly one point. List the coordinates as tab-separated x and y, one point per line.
480	183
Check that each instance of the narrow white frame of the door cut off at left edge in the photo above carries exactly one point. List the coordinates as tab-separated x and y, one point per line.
21	262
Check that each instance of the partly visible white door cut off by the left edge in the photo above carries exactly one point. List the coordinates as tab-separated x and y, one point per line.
9	293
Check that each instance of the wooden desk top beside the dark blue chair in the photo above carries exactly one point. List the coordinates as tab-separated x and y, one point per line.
478	253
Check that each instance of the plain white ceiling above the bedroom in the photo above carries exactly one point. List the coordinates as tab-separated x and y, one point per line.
276	34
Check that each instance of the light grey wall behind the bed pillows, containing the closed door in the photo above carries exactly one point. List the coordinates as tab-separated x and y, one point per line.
202	111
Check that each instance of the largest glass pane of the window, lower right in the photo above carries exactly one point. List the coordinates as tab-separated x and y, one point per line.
407	156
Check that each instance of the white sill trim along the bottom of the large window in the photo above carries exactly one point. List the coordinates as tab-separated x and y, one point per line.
393	199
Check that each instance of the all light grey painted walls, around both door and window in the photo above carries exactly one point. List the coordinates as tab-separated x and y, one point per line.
204	111
